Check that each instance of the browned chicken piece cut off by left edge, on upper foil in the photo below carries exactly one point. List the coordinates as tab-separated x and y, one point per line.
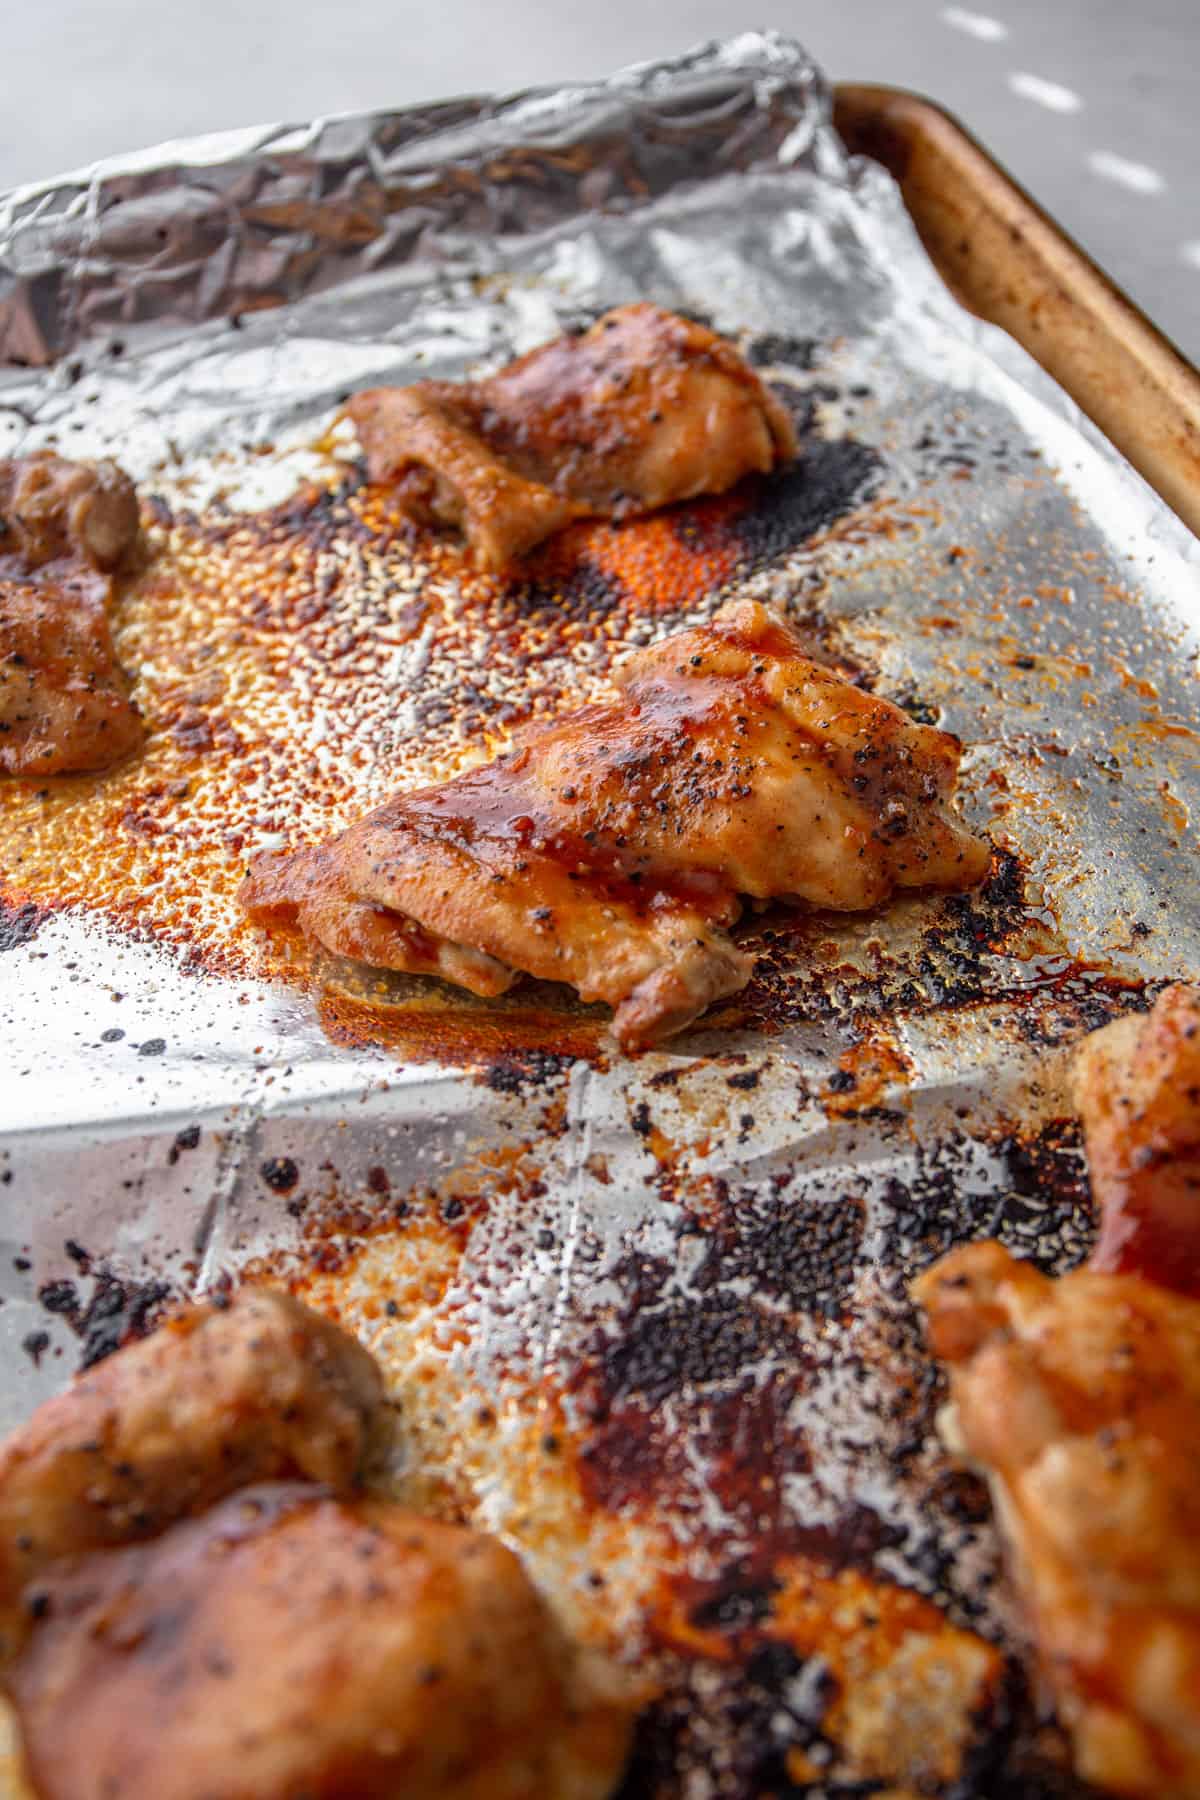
66	528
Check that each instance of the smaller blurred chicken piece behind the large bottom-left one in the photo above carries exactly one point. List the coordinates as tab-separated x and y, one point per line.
219	1398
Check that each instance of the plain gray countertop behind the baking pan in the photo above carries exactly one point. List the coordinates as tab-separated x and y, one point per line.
1091	103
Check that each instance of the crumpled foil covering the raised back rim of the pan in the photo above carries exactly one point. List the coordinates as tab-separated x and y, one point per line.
296	206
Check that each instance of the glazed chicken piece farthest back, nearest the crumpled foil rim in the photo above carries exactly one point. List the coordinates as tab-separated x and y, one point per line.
640	411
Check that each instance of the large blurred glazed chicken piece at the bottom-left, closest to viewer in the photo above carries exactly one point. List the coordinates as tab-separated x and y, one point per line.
298	1648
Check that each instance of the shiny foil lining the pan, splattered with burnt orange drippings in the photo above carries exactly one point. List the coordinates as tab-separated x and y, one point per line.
645	1318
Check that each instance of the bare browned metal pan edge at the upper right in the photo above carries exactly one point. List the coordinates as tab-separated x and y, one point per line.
1012	265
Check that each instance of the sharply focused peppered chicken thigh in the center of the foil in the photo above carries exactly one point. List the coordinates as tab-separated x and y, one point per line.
609	850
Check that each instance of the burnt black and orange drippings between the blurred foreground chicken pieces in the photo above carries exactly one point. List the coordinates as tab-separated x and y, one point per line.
746	1401
